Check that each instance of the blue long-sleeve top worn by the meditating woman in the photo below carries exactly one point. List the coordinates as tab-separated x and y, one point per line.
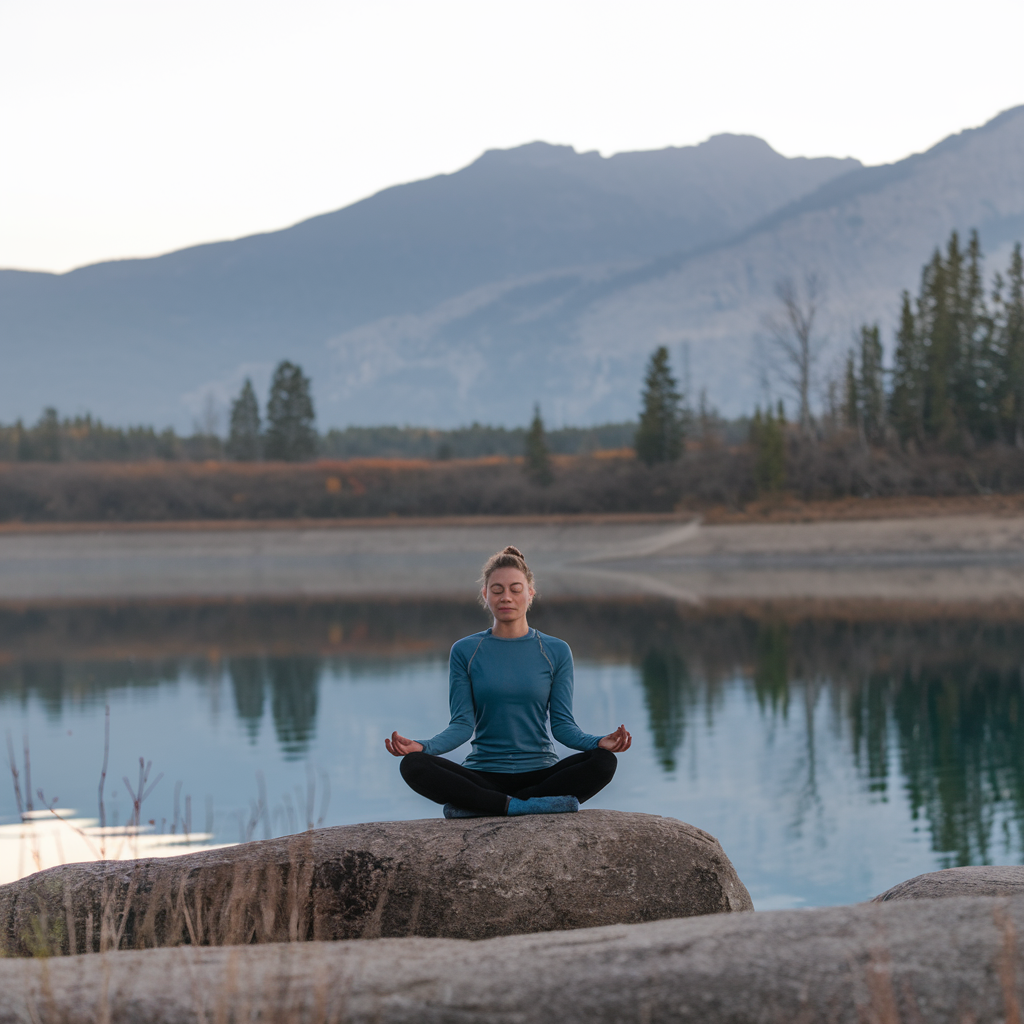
501	693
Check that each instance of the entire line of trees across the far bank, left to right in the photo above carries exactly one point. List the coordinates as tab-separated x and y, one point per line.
956	382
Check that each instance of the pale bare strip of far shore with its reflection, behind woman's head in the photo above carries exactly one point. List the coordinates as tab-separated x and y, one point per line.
974	558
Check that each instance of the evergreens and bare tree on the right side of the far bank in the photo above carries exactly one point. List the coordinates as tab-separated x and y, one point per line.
956	382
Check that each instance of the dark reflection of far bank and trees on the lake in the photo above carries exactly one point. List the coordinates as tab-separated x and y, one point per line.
925	710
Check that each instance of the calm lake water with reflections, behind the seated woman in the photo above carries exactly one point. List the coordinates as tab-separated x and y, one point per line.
833	757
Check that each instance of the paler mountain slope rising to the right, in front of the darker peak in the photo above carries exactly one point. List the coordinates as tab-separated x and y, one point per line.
867	234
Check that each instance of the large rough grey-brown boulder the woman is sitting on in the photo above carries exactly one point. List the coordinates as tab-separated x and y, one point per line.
468	879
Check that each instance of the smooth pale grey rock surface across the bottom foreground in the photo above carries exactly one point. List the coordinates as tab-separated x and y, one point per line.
945	962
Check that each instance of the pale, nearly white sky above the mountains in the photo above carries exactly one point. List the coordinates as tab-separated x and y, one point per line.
134	129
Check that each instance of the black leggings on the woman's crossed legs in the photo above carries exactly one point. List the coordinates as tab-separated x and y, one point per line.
446	783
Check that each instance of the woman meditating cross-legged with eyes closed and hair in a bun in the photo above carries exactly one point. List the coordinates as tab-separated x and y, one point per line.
504	684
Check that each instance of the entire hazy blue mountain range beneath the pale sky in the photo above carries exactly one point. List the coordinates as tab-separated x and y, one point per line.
536	274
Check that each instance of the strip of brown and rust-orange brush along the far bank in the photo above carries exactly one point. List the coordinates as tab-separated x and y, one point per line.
840	480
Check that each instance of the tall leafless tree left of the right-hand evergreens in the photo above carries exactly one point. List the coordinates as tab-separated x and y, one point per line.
794	339
